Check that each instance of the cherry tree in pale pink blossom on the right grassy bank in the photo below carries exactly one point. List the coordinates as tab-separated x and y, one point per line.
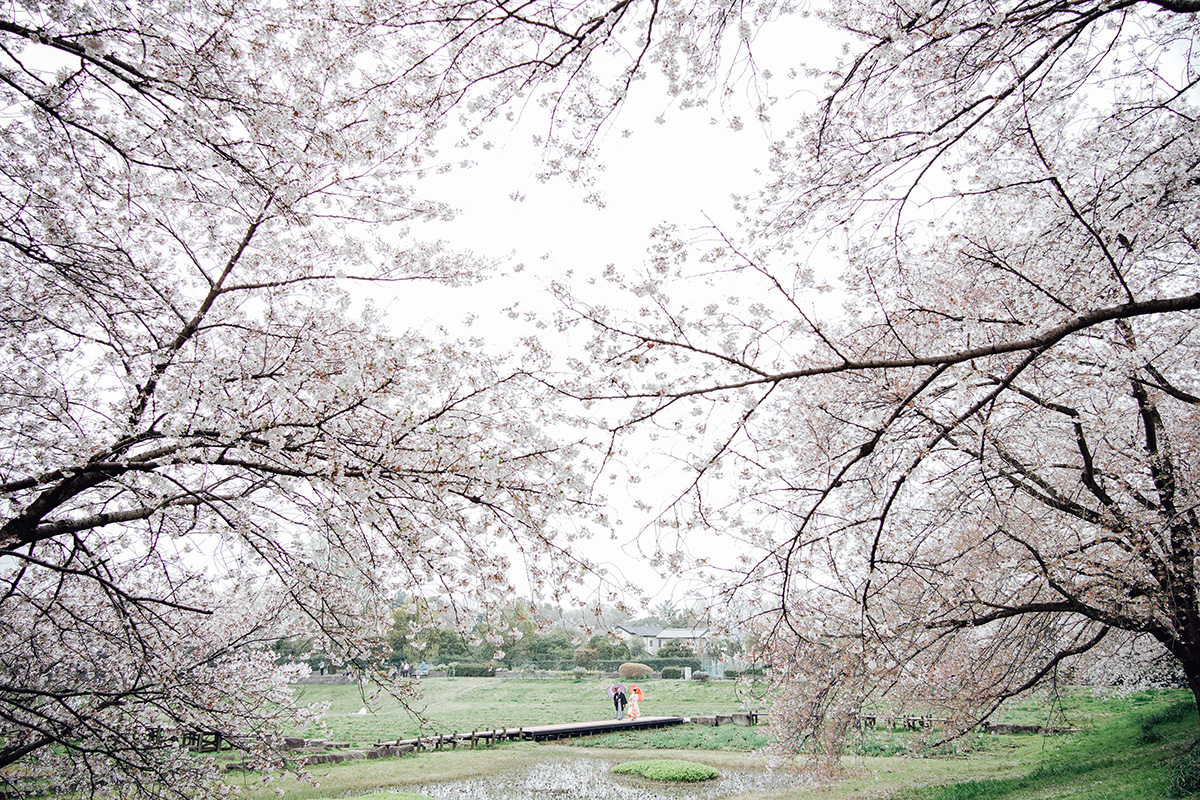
941	387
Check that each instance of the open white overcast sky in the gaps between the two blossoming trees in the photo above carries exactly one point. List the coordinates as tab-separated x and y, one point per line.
681	171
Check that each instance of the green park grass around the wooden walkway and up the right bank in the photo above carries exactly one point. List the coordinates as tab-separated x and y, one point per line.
1125	750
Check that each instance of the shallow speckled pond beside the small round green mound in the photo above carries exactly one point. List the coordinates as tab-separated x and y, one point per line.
589	779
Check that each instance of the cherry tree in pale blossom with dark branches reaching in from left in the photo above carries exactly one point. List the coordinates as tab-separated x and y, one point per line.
211	438
